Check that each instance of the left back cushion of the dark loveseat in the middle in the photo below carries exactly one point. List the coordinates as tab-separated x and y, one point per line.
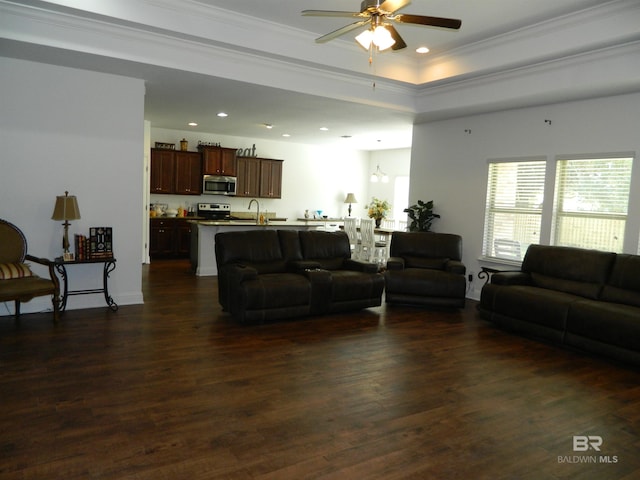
259	249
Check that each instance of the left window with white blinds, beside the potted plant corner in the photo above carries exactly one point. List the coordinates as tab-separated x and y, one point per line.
514	207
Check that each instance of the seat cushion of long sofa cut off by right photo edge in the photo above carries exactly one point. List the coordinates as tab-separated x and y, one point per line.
610	323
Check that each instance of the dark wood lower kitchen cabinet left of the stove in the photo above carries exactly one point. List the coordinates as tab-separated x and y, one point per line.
169	237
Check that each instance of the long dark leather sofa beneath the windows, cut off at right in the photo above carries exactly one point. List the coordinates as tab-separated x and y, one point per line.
585	299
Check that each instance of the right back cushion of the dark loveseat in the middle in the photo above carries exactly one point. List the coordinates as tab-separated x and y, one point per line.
329	249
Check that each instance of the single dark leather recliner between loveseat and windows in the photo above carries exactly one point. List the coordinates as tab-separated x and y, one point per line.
426	268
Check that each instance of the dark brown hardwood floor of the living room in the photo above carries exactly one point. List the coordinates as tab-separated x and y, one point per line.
174	389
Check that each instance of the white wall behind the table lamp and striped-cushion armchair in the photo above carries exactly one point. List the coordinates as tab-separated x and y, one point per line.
66	129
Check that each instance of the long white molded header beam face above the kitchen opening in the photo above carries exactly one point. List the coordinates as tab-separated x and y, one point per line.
93	35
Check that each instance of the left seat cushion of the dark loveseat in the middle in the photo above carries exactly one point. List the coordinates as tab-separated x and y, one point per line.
275	290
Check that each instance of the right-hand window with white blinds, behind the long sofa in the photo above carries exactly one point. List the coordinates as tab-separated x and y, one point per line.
591	201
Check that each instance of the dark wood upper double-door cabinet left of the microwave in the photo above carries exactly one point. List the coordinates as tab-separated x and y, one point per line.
175	172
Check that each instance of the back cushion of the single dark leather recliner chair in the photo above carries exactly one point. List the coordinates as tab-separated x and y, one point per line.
426	249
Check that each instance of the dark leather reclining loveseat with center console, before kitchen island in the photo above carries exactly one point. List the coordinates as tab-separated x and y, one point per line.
275	274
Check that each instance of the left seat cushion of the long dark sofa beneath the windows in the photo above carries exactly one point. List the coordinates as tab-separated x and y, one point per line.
529	304
